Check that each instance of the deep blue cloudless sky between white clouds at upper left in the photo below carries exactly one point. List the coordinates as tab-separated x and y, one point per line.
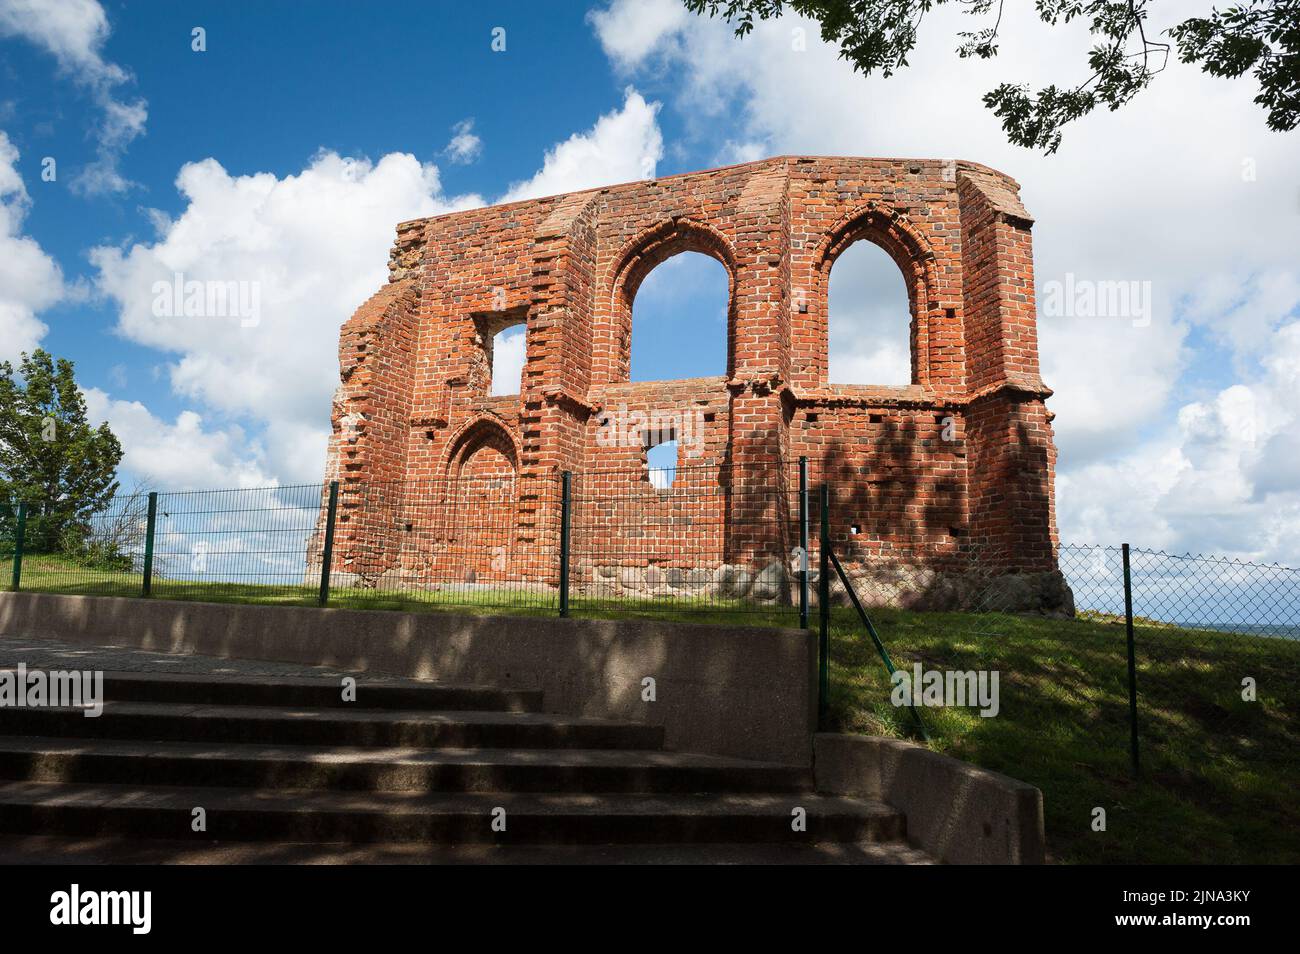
274	89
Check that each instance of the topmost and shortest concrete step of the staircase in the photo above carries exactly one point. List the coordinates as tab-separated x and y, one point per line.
314	692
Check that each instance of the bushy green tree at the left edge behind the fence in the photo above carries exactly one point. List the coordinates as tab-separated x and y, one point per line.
50	457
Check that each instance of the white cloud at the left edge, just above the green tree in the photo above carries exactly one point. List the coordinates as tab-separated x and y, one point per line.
29	279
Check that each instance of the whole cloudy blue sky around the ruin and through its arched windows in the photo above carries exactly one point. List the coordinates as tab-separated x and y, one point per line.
288	151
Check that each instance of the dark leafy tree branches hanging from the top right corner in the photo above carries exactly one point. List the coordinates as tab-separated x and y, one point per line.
1262	37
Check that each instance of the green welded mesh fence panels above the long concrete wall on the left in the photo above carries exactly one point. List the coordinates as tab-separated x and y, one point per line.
644	541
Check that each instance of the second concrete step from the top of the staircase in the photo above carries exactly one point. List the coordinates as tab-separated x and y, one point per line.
335	727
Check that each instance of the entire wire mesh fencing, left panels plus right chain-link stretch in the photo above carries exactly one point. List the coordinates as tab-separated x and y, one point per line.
1216	643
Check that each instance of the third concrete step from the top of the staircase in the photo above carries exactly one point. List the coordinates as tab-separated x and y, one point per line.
388	770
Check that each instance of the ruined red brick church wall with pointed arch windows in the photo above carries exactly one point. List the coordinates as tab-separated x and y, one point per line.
957	463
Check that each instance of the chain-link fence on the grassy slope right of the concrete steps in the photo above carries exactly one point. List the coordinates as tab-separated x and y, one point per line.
1216	647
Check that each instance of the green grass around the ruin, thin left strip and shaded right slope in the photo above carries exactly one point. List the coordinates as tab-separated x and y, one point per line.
1220	775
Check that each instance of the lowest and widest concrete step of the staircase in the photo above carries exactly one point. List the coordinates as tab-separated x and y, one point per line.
456	819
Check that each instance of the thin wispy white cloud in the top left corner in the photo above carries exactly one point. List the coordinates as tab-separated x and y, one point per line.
75	33
